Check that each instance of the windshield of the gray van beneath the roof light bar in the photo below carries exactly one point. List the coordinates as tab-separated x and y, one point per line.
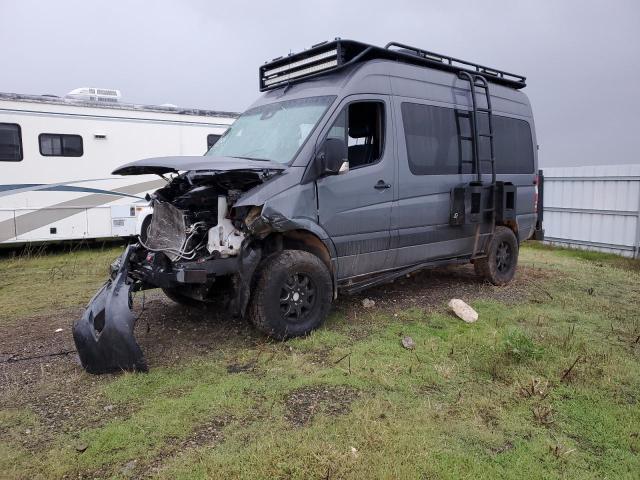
272	132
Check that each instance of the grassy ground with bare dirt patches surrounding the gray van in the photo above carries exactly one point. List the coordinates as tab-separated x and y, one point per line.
545	385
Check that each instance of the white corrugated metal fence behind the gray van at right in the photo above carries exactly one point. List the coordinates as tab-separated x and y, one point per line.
595	207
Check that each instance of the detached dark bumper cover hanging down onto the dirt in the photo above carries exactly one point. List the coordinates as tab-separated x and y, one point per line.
104	334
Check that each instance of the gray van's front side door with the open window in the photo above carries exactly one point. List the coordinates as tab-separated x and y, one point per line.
355	207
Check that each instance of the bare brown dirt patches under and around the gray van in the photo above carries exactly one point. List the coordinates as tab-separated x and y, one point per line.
36	359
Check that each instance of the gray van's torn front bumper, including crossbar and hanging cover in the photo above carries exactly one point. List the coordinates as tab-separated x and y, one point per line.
104	335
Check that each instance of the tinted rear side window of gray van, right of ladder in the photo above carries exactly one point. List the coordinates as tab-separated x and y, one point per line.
513	145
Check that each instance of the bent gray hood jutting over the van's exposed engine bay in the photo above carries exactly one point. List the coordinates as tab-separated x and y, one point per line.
162	165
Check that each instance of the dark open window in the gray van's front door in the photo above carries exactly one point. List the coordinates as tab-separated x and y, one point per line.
365	133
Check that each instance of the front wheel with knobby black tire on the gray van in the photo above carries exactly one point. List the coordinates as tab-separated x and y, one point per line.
292	295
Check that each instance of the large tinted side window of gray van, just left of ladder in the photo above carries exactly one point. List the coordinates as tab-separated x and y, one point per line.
438	139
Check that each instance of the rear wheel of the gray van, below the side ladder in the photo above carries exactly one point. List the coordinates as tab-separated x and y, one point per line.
499	266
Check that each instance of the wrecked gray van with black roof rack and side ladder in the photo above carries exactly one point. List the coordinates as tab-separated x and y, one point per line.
358	164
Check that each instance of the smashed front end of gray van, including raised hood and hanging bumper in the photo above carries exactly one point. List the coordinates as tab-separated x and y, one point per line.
198	248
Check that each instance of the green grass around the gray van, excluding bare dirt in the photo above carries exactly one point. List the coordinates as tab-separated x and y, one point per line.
483	400
